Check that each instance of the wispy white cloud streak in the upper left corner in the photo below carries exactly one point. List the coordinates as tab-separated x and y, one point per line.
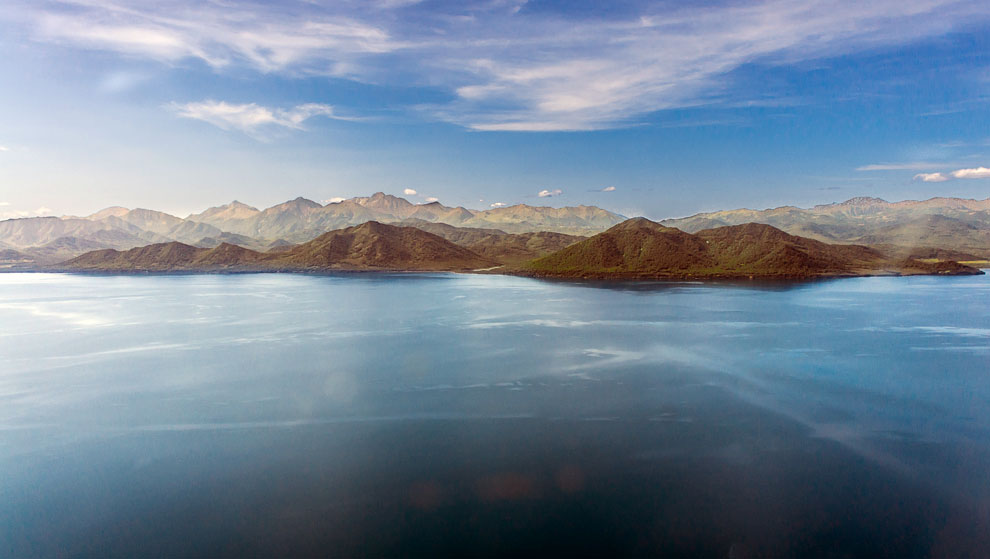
268	38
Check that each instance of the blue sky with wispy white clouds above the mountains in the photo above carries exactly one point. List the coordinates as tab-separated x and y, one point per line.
658	108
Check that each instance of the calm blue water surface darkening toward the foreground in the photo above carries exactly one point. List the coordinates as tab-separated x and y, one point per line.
385	415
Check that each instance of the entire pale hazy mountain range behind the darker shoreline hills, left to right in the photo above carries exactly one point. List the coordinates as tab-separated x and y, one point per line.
939	228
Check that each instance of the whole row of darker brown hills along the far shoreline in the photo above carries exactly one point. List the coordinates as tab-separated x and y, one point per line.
636	248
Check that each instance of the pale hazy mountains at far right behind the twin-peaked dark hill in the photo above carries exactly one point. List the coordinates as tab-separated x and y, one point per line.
909	224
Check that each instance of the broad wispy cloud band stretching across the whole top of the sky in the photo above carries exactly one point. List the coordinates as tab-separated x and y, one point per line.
508	68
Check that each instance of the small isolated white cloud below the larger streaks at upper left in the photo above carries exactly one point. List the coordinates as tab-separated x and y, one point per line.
251	118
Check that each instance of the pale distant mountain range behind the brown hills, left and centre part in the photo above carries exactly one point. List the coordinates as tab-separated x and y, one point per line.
48	240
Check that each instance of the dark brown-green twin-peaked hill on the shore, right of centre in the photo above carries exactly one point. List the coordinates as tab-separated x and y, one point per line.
640	248
